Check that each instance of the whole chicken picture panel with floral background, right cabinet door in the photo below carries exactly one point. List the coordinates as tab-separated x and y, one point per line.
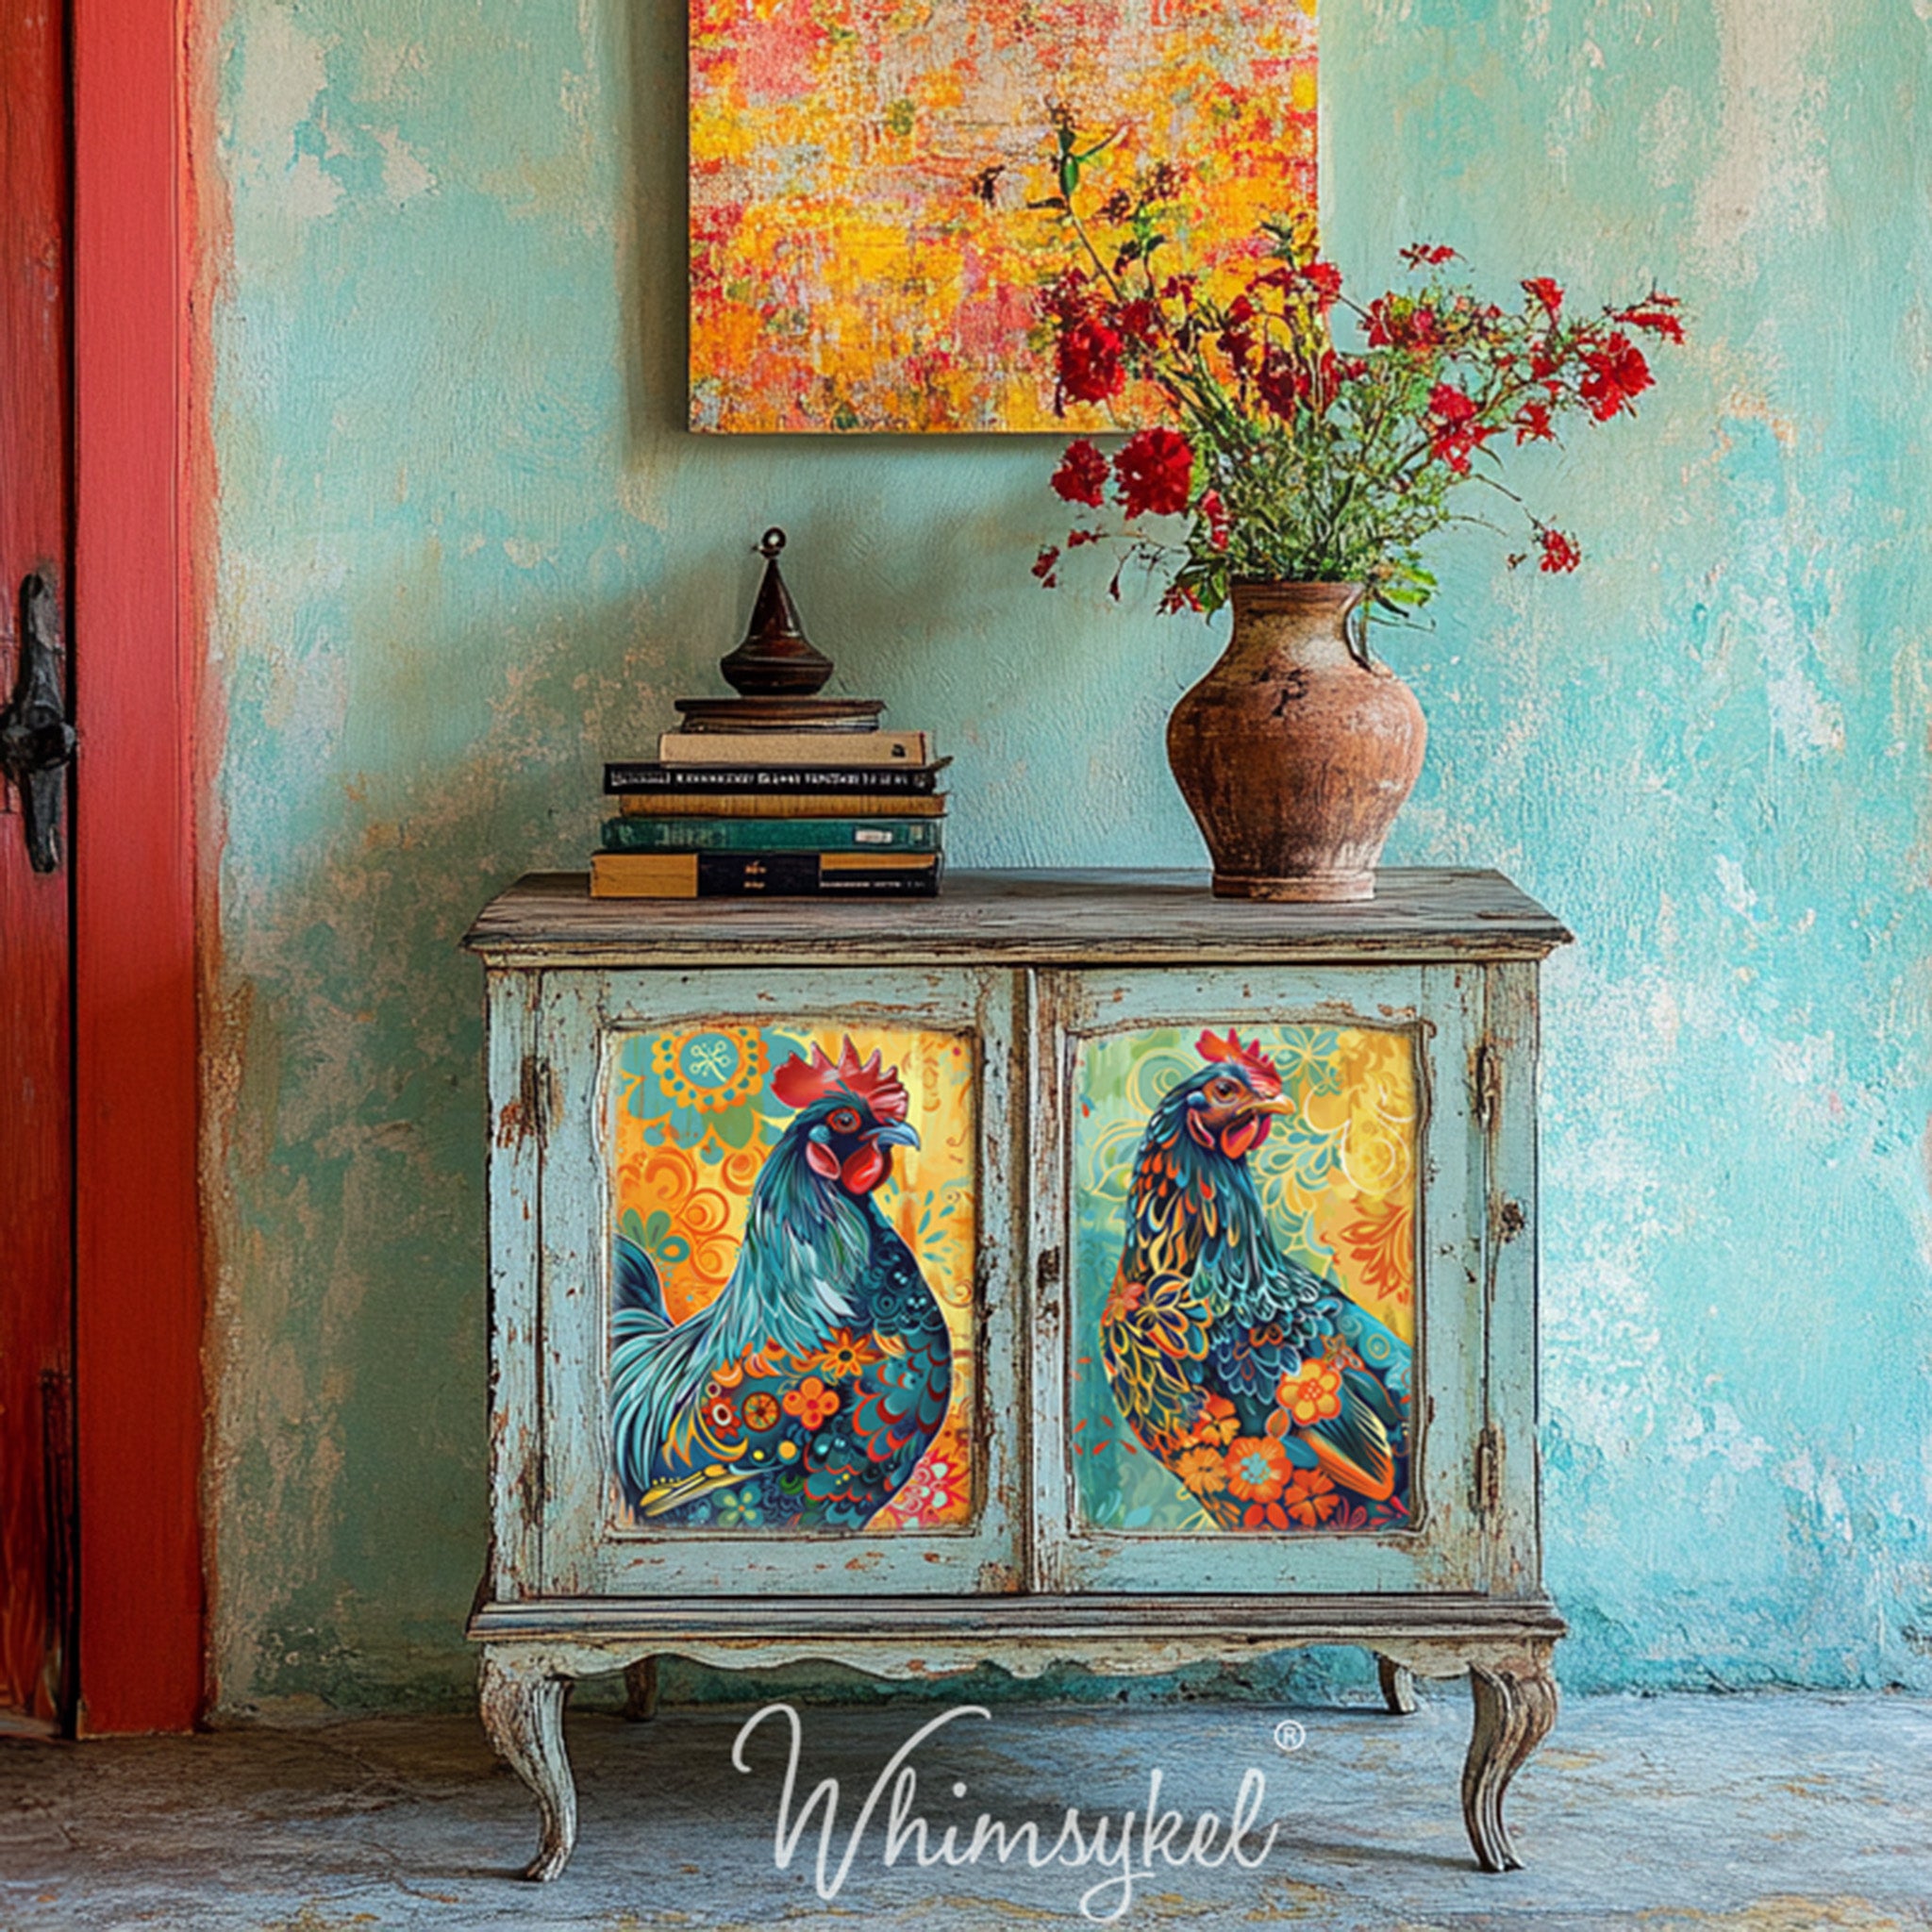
1247	1280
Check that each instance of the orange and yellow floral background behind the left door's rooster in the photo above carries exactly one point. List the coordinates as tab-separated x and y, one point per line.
693	1120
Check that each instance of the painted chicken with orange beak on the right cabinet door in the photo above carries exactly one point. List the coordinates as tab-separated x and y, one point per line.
1259	1384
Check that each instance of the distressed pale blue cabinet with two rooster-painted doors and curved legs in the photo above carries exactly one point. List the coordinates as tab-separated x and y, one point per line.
648	1064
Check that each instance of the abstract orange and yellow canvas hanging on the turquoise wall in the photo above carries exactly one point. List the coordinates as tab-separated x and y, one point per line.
863	248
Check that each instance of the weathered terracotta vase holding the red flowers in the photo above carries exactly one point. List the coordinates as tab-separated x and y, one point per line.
1295	754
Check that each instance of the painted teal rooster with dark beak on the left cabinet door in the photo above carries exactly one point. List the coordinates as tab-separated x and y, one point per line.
809	1390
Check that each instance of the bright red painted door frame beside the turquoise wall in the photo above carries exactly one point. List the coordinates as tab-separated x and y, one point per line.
136	675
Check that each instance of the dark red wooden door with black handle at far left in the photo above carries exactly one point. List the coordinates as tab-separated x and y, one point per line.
36	924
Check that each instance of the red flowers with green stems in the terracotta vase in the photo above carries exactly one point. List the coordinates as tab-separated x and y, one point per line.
1292	455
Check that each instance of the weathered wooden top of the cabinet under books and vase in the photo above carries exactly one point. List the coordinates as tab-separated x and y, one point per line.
1021	919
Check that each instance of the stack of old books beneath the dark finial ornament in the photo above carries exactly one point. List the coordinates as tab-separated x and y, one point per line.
739	814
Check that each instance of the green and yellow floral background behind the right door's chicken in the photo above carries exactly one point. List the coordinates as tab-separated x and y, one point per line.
1338	1181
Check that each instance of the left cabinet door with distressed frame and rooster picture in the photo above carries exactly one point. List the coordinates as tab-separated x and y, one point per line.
778	1282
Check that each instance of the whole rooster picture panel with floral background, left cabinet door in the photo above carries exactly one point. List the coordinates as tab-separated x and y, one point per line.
791	1313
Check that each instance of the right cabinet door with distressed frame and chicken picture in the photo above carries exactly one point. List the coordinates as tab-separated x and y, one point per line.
1261	1264
